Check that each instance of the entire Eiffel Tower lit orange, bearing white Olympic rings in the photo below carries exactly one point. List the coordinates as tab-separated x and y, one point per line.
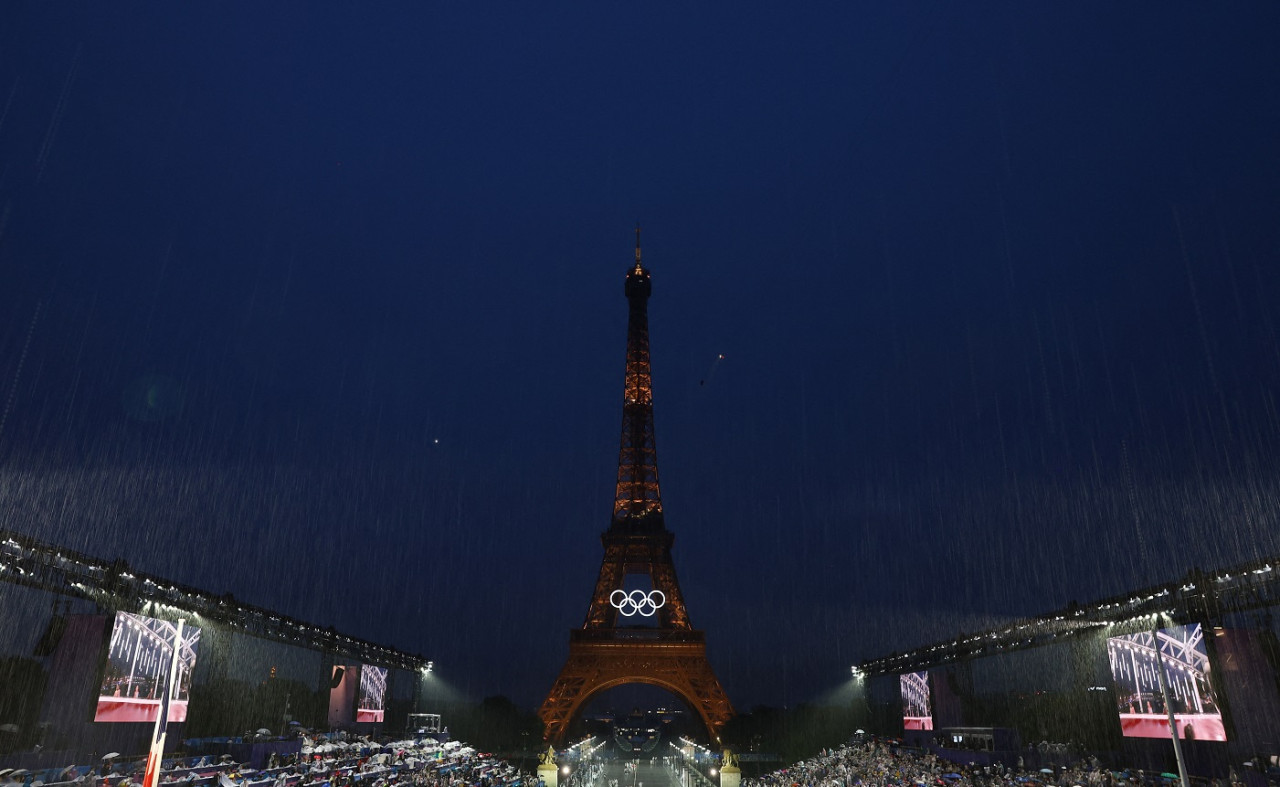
670	655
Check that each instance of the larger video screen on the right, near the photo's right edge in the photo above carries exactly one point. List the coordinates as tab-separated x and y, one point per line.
1135	661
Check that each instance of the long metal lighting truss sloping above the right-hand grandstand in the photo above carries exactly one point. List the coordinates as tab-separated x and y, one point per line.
1201	597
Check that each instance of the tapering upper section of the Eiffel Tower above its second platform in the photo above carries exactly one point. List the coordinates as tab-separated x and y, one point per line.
638	501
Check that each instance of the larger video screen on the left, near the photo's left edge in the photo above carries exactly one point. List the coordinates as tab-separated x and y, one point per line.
138	670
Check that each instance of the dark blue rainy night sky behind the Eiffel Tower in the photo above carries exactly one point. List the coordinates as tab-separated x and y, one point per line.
321	304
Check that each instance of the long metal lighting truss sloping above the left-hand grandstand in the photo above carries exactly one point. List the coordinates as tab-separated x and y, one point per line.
115	585
